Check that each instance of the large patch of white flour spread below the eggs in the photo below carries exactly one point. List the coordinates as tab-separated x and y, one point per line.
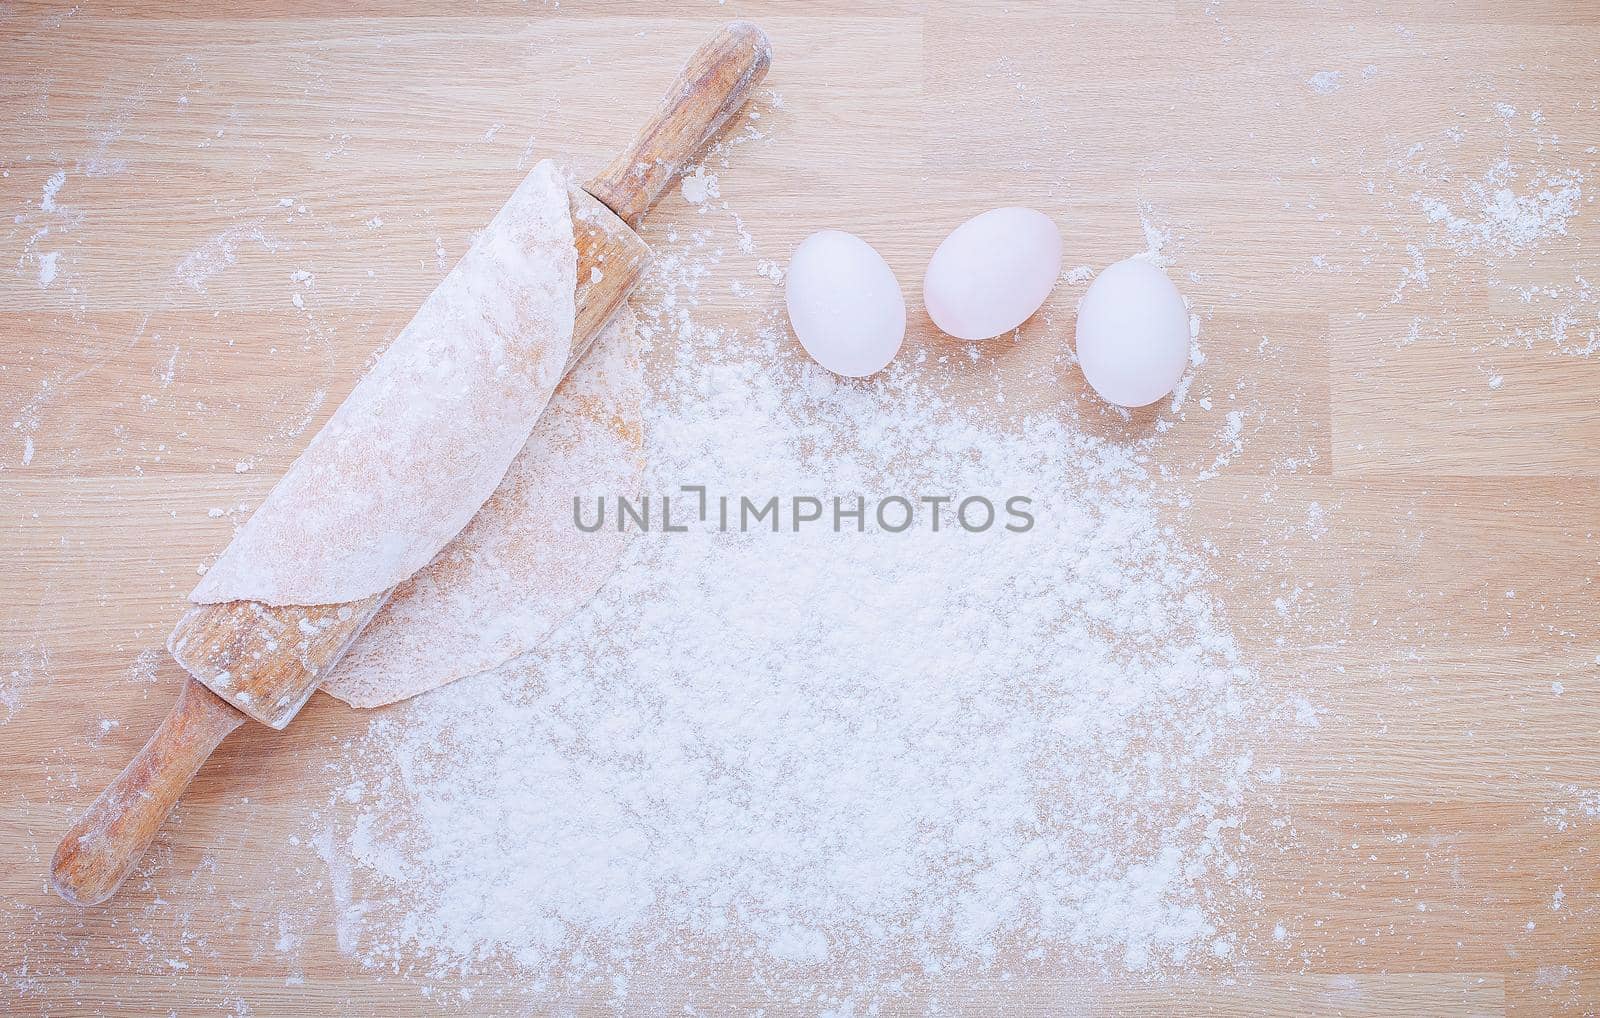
866	755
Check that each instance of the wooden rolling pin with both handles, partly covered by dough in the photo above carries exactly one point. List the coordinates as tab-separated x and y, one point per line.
249	660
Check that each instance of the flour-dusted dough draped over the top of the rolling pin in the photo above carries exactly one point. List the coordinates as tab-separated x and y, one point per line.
430	433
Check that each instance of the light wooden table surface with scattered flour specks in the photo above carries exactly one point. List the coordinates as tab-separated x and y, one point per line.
1406	502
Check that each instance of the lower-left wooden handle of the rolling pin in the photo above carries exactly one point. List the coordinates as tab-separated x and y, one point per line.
111	838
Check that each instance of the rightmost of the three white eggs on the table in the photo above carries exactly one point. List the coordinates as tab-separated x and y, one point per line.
1134	334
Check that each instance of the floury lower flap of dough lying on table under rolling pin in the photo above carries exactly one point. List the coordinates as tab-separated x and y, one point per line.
521	567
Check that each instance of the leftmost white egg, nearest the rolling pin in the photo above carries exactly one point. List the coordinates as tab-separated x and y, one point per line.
846	305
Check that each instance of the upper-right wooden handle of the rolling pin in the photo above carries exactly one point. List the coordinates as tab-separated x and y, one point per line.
711	89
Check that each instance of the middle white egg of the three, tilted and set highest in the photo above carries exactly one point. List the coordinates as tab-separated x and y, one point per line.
993	273
